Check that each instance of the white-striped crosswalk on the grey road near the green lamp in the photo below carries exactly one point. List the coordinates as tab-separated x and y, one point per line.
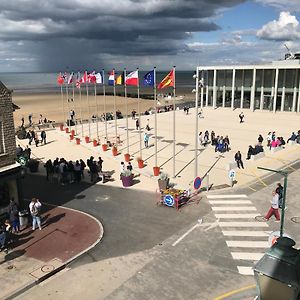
246	238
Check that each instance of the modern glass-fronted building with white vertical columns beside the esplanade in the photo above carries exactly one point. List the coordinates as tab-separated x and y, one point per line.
273	87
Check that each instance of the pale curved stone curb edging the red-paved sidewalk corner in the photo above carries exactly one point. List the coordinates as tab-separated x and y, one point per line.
30	285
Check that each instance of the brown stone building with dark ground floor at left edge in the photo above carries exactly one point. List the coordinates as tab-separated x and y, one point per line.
10	176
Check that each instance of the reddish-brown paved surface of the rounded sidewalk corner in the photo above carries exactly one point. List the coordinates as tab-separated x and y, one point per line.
65	233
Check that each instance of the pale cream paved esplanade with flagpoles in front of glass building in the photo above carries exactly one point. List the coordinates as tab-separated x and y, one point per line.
222	121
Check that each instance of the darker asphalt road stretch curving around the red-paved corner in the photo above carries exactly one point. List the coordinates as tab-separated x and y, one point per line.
131	219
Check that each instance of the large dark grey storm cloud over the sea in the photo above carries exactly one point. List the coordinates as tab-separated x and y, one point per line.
79	32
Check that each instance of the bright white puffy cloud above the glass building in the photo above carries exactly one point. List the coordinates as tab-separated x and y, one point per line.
285	28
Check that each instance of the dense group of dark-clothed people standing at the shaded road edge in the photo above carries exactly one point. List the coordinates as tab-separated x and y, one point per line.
69	171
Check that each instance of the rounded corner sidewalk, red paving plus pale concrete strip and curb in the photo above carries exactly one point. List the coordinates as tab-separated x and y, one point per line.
36	255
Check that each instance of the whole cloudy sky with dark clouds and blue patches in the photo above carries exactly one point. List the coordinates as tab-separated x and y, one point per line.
72	35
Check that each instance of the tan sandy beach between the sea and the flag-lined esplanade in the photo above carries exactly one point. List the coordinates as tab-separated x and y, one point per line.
52	107
